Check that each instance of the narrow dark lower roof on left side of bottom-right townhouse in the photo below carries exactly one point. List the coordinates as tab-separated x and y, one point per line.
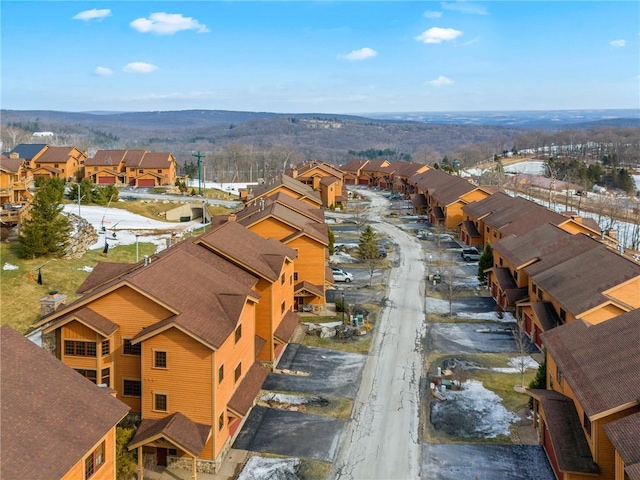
567	436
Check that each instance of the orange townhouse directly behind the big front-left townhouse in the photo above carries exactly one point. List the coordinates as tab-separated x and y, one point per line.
301	227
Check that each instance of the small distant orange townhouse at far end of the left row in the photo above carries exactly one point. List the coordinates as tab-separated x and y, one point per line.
324	178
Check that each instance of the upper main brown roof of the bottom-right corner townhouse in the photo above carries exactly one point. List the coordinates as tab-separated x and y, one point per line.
601	363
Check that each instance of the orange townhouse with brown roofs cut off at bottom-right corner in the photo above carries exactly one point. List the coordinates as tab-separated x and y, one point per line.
588	417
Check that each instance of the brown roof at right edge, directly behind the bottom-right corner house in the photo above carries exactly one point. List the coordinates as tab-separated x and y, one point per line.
579	281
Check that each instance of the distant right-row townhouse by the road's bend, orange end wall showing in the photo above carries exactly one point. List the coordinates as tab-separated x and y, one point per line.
442	196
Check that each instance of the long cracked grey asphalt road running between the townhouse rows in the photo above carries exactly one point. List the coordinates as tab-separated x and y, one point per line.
382	440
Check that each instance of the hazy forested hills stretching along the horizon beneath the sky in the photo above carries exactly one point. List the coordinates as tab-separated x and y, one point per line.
319	136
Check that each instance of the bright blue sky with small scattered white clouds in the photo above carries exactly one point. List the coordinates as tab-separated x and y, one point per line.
325	56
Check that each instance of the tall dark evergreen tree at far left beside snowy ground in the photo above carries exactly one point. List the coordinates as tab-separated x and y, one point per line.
47	231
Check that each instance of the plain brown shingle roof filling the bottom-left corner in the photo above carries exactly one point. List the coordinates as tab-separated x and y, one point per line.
51	415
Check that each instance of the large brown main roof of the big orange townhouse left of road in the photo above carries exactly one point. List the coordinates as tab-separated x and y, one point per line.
204	294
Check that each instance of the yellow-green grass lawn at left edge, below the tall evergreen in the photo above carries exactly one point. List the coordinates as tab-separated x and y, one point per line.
20	295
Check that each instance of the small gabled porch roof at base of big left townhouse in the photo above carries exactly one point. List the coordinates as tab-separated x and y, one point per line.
176	428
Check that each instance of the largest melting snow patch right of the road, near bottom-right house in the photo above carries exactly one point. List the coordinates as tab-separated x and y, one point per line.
473	411
